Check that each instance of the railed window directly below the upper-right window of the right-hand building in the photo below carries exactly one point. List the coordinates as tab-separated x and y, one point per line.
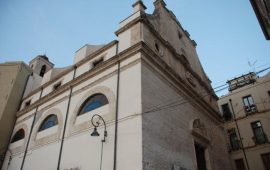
259	135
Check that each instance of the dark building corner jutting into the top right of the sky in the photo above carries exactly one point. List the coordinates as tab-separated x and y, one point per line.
262	11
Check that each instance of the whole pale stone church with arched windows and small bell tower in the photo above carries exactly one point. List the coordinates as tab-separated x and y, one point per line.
141	102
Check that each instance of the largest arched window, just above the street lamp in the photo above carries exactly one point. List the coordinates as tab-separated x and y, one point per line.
93	102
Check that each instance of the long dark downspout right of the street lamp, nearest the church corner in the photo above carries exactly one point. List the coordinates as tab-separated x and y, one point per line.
116	109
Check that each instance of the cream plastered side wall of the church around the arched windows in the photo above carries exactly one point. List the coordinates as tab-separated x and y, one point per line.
80	150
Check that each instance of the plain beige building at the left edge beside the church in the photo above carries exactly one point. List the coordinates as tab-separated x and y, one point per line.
13	79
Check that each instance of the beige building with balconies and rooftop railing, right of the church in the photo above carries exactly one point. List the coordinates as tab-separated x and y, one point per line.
246	111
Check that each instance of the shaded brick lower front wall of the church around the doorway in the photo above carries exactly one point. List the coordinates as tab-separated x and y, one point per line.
167	132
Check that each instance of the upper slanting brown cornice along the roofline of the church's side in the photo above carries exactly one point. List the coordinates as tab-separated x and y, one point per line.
72	68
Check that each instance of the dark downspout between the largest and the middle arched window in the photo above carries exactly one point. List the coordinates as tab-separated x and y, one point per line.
65	125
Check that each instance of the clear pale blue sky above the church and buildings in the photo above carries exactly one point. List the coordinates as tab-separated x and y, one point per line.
230	40
